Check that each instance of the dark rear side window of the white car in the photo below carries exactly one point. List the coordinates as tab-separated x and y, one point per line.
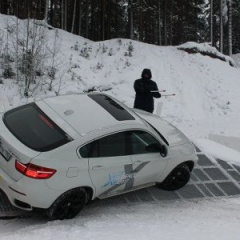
110	146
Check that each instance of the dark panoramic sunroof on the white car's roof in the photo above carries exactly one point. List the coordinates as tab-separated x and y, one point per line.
117	111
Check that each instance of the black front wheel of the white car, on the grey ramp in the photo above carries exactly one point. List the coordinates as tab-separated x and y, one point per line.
178	178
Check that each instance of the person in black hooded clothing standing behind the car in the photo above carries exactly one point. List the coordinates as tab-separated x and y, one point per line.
146	89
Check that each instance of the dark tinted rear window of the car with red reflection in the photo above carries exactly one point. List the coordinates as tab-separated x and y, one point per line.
33	128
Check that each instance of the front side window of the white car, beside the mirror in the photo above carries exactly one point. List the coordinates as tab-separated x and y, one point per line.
141	141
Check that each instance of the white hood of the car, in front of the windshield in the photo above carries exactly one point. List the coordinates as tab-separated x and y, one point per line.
170	133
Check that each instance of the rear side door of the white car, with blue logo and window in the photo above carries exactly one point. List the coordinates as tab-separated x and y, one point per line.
109	164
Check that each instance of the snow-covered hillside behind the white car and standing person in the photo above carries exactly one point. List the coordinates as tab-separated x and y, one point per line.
207	89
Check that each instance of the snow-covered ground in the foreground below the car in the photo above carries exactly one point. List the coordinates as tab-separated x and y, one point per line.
198	220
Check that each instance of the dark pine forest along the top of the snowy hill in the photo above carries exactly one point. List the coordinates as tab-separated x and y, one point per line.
162	22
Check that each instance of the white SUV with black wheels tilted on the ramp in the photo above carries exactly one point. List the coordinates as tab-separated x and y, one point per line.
59	153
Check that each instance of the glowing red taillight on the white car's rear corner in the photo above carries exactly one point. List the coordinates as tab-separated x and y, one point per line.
34	171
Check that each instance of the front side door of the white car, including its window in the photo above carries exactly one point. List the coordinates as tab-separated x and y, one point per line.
148	164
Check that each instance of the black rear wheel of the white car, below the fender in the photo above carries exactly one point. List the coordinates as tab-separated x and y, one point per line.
68	205
